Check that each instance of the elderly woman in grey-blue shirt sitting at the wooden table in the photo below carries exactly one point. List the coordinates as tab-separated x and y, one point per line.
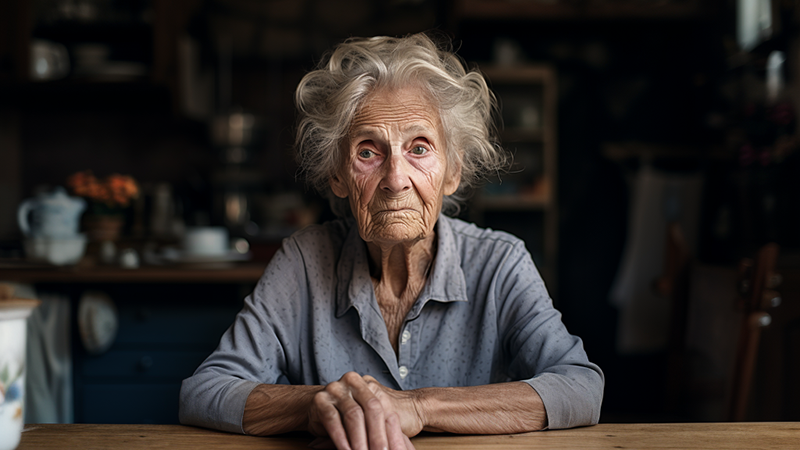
395	318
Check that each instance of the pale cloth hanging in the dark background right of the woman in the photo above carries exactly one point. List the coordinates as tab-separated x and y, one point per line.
657	199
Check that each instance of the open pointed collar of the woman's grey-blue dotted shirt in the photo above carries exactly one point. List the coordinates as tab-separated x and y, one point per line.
446	282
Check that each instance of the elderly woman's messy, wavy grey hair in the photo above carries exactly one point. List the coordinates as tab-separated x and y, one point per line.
328	98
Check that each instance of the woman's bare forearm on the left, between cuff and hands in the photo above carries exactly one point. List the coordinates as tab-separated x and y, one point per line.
277	408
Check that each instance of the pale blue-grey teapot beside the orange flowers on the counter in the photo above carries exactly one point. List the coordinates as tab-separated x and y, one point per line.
53	215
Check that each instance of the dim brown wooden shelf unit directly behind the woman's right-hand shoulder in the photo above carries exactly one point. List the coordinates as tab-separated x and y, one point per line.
525	202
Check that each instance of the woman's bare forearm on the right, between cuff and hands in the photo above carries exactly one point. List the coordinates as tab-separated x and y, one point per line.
502	408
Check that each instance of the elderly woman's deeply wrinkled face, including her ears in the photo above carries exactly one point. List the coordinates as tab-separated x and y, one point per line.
395	170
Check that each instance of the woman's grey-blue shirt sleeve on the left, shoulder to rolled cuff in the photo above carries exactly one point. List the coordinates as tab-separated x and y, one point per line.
252	350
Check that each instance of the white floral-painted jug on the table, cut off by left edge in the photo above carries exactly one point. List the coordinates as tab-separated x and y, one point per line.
13	333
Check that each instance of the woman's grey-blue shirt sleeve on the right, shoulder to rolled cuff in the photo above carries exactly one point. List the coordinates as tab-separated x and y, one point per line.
540	350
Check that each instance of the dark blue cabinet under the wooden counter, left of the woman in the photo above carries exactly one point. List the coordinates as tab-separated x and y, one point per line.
165	331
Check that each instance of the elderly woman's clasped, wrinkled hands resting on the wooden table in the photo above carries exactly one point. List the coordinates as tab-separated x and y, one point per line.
359	413
